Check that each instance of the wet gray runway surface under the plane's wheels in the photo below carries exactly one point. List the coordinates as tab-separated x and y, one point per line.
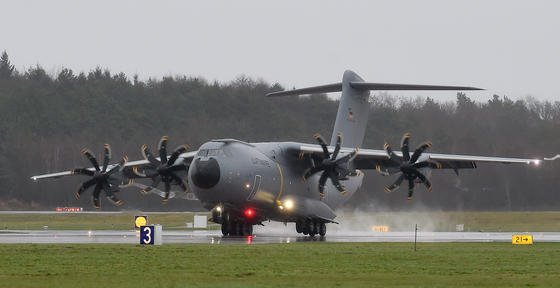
261	236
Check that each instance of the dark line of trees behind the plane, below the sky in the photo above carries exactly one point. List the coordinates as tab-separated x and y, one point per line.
45	120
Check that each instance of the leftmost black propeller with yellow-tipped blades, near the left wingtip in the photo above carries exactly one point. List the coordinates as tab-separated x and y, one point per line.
101	178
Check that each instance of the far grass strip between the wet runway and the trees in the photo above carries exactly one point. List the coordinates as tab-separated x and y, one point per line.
434	221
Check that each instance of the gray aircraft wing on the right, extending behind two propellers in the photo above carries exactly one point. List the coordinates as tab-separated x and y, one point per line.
376	159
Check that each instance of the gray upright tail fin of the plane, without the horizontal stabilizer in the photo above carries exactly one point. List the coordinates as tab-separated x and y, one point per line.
352	115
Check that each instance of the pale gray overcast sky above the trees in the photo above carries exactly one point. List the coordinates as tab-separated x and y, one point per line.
508	47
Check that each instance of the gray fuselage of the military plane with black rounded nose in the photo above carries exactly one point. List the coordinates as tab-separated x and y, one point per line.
263	177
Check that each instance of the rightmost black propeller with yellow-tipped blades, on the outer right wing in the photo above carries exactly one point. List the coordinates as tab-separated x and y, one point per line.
408	166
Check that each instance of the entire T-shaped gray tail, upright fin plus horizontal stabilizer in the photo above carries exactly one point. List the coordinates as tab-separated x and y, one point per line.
353	109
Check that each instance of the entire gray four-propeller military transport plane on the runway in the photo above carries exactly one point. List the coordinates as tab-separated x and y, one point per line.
244	184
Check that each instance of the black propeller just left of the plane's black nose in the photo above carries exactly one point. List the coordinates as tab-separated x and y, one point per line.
163	170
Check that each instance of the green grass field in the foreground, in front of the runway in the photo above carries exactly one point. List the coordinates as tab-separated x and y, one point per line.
282	265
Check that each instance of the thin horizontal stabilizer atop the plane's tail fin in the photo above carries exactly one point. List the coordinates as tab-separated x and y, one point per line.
337	87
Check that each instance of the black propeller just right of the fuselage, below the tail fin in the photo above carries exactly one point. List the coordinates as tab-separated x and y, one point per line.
333	168
